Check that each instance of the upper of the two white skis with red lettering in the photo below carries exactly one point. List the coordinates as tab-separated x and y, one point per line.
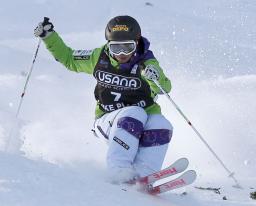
177	167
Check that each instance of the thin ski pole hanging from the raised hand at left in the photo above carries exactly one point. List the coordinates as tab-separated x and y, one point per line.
23	93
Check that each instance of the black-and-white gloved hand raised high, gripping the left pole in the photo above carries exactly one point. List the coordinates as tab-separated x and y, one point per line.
44	29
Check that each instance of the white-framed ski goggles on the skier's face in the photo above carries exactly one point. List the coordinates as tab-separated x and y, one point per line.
122	47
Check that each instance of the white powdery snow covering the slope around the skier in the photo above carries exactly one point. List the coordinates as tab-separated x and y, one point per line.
207	48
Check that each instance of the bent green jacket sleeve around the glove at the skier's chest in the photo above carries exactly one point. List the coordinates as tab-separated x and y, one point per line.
163	80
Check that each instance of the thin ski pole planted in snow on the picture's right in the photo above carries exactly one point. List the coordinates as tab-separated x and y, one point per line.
230	174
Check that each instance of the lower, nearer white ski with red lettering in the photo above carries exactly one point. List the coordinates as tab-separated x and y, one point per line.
185	179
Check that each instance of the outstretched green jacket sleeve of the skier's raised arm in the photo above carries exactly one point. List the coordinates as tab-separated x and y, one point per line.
74	60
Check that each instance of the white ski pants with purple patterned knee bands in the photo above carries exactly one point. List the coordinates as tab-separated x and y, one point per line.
137	142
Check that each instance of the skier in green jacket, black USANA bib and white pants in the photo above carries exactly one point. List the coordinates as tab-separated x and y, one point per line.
126	113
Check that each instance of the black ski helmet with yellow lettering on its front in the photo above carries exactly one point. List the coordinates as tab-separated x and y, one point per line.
122	28
